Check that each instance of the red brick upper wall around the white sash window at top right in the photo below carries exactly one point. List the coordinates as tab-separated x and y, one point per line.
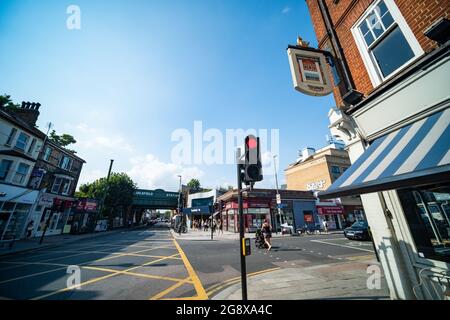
419	14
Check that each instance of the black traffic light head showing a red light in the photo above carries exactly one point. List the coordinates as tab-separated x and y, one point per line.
252	164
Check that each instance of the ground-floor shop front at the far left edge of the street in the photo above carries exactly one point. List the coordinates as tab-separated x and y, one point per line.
16	203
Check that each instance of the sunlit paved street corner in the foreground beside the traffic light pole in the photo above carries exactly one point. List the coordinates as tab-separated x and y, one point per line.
343	281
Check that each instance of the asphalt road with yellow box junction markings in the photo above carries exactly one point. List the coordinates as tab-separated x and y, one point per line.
151	264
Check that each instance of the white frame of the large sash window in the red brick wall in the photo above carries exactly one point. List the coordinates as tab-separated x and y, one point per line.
375	74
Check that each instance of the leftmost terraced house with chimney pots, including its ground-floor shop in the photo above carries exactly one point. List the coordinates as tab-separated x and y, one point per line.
20	144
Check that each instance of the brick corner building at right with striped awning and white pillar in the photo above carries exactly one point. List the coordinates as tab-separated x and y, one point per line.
394	65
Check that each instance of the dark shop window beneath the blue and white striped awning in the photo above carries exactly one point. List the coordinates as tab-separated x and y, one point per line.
427	211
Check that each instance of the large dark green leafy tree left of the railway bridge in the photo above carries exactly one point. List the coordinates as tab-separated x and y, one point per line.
119	194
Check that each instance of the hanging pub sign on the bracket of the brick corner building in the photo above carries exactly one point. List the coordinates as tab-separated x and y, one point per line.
309	69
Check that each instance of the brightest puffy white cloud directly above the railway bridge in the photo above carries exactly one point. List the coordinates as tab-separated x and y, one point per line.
150	173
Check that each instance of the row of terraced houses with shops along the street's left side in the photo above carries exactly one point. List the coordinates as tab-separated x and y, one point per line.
35	173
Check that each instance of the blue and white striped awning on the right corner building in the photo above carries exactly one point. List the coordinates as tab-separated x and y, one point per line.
414	155
